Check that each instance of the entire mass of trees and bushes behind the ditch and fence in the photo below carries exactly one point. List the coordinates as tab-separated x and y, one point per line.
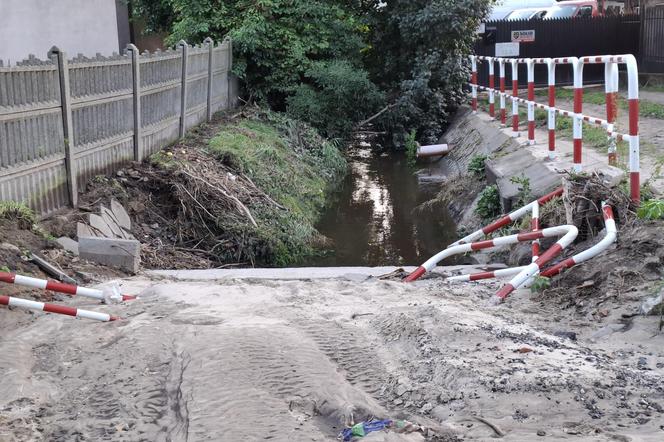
336	63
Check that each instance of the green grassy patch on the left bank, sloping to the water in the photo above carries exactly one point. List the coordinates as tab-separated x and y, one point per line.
291	163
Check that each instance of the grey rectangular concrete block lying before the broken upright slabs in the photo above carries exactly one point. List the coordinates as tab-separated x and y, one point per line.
124	254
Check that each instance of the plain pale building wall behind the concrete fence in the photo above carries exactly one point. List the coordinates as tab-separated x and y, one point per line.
75	26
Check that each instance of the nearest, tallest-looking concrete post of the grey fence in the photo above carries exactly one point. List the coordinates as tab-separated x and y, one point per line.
60	59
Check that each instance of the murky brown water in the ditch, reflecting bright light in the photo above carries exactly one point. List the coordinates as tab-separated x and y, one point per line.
371	221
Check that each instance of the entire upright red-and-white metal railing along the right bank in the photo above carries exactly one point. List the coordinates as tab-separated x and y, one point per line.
610	62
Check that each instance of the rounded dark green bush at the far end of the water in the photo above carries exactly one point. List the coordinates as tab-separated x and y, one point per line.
334	98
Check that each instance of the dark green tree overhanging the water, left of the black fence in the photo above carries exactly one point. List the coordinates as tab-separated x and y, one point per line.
419	57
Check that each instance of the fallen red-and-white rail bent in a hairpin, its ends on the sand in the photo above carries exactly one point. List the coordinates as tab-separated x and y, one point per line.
565	231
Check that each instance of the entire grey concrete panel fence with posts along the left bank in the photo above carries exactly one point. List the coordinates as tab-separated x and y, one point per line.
63	121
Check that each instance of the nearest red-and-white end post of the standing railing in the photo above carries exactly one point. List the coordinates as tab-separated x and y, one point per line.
633	99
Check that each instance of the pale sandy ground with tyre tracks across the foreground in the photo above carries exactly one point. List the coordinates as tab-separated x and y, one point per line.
294	360
